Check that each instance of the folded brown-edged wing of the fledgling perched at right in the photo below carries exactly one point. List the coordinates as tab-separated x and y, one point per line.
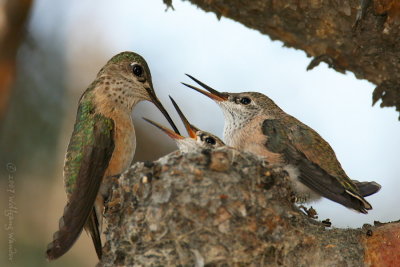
315	159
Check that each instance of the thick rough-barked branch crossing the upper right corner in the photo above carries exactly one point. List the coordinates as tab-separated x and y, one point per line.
361	36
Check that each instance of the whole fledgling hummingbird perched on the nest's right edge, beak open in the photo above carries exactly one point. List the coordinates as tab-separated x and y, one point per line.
254	123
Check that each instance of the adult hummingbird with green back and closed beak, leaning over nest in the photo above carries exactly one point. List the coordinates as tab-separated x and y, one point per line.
102	146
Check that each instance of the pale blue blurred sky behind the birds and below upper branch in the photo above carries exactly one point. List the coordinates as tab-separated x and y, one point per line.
230	57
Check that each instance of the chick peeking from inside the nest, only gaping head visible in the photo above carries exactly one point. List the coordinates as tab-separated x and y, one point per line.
197	139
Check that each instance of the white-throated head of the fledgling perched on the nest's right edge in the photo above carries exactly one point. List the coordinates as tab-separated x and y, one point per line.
239	106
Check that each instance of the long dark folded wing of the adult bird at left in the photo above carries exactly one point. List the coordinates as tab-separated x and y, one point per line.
96	147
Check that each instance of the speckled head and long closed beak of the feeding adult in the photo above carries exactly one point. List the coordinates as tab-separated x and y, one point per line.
126	80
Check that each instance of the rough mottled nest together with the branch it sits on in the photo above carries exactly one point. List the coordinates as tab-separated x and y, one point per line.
227	208
